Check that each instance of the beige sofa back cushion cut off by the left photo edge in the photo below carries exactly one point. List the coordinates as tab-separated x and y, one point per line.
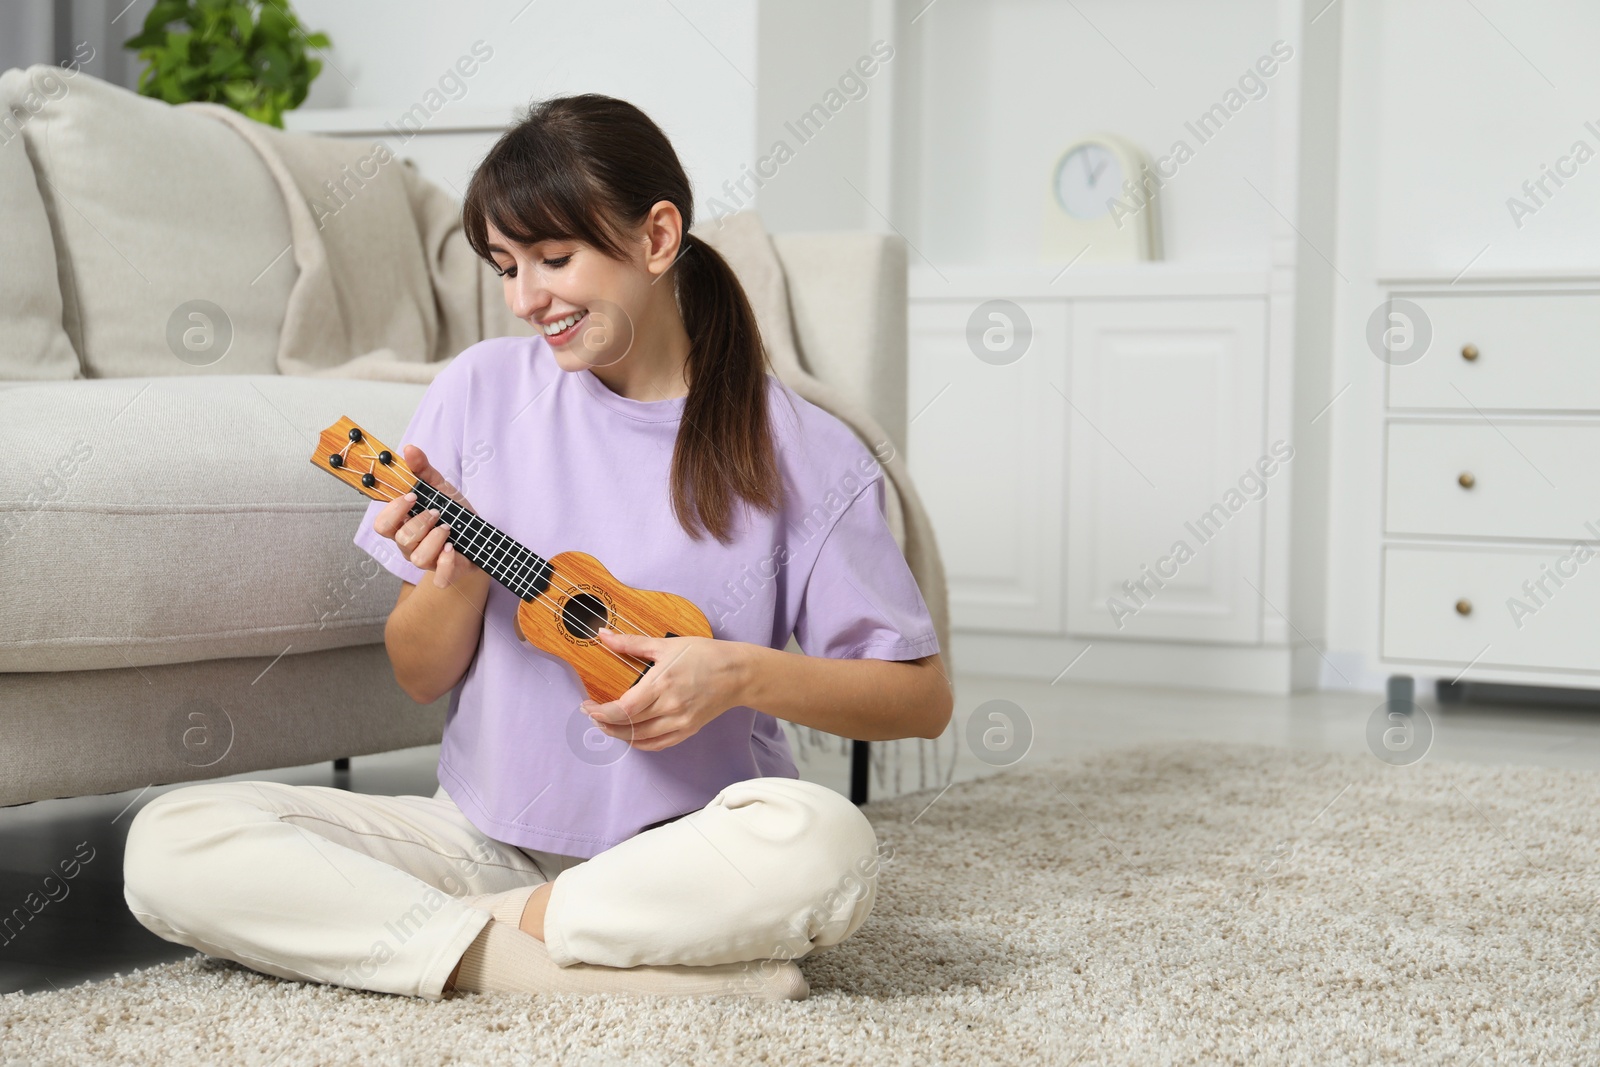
33	342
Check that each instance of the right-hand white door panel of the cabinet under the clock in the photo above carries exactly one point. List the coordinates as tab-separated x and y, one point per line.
1164	492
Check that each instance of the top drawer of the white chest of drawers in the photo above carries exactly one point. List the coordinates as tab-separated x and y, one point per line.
1535	351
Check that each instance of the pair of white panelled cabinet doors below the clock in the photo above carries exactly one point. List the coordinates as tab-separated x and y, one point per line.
1057	478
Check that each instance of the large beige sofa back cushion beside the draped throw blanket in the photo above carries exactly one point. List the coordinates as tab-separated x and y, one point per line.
156	210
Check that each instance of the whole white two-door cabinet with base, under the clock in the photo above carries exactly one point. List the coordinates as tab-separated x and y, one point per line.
1151	410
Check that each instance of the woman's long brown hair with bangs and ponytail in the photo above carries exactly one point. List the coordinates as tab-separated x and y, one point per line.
591	169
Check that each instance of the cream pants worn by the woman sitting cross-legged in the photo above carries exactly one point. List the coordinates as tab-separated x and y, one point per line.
326	885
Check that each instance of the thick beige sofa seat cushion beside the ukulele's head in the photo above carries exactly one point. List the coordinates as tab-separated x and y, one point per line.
180	519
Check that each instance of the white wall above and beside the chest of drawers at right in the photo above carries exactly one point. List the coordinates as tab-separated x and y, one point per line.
1447	110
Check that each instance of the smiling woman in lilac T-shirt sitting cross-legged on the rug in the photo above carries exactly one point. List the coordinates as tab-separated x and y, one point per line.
658	844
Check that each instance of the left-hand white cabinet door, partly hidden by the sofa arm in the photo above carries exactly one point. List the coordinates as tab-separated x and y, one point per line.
988	452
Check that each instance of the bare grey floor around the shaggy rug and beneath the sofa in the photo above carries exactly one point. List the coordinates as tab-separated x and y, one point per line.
89	933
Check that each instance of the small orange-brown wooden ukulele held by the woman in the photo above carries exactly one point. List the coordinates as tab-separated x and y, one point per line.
566	599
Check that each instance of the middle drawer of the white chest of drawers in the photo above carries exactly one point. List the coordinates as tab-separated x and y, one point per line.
1529	479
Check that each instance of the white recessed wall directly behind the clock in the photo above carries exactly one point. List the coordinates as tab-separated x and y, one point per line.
1009	84
